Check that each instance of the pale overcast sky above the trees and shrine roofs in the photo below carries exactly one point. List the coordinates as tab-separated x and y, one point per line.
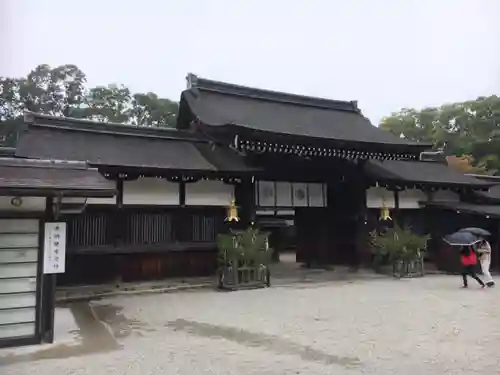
387	54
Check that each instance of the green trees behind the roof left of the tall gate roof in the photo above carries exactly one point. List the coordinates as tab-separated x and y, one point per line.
62	91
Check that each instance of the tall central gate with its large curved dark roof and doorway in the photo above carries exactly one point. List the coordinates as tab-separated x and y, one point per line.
299	144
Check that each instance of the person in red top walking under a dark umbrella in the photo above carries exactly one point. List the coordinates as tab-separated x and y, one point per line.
465	240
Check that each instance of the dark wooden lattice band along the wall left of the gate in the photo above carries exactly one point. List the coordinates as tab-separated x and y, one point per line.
129	230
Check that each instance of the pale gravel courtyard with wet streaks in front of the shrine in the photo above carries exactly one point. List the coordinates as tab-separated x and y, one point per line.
380	326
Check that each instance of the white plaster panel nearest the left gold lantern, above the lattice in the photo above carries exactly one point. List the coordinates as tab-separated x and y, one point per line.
209	193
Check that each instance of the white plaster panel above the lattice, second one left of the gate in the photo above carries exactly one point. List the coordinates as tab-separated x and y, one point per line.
150	191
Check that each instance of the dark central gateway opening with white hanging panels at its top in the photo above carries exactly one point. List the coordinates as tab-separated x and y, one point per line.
322	221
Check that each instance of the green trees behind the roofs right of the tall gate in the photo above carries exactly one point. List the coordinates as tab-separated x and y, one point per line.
469	130
